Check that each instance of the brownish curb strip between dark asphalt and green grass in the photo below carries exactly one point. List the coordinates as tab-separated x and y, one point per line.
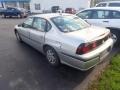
96	72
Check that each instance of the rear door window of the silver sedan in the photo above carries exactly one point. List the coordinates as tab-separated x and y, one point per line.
39	24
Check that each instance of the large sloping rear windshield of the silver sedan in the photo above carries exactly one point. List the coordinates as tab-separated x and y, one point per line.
69	23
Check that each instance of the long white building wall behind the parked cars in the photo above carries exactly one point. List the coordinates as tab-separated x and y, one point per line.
40	5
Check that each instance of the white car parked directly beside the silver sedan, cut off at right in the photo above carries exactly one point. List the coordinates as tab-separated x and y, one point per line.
108	17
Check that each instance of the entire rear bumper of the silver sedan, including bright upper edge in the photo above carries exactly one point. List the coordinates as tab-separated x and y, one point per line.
89	60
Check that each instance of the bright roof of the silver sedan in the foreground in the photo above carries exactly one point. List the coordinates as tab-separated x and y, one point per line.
50	15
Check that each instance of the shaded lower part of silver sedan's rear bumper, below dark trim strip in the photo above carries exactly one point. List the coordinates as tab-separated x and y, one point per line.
82	65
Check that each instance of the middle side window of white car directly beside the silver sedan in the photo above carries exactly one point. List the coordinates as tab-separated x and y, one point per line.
101	14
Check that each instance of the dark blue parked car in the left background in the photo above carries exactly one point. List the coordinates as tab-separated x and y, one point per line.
11	12
